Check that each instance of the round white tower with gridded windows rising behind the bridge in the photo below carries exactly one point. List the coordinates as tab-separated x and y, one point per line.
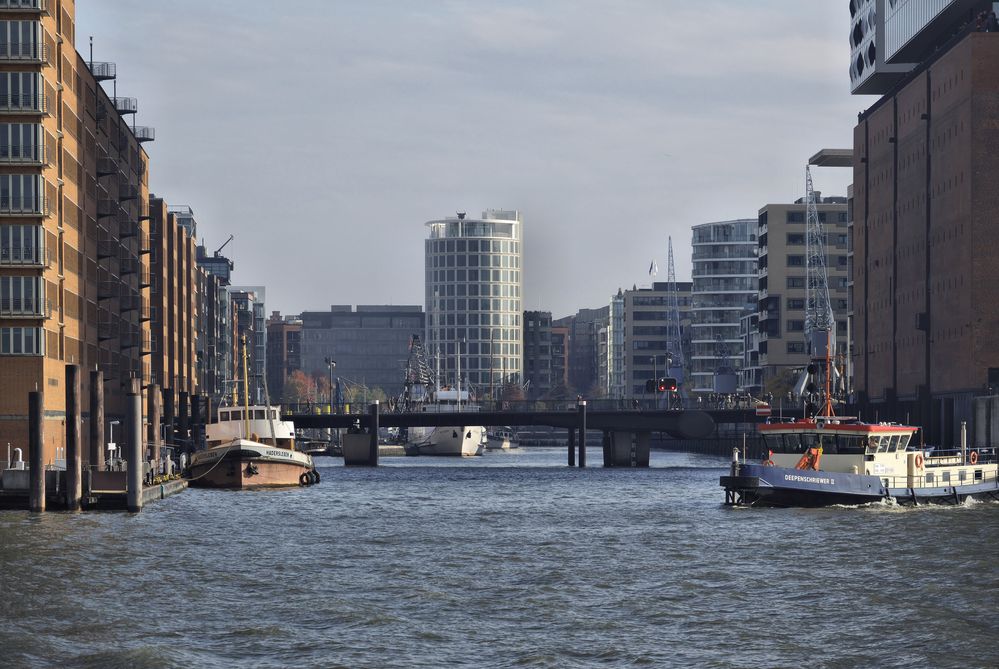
473	299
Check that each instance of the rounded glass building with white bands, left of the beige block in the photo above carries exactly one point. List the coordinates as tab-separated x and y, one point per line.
725	285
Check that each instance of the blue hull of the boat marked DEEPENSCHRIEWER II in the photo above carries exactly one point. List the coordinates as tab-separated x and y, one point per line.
759	485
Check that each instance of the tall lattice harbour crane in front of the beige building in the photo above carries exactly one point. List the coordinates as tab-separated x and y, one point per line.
820	323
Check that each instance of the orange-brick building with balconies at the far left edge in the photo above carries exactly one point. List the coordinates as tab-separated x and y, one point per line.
73	241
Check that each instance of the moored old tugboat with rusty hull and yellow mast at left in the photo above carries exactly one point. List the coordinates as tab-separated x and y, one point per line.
250	447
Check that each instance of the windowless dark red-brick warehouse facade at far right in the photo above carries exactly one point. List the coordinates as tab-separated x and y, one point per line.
926	239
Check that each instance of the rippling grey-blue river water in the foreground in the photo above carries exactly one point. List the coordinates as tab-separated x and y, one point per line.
511	559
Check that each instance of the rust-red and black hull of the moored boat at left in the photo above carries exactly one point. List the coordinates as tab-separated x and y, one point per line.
247	466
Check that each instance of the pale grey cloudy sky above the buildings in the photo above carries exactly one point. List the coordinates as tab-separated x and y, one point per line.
324	134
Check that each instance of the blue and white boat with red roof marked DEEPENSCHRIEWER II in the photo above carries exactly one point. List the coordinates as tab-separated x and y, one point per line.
830	460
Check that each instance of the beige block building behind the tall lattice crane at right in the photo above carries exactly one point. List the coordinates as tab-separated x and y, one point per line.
782	285
